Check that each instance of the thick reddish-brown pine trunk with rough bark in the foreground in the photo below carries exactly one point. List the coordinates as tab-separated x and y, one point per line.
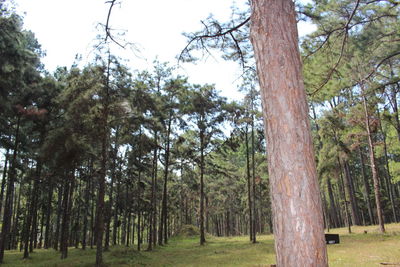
296	203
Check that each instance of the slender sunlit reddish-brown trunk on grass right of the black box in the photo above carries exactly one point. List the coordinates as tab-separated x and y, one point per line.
374	170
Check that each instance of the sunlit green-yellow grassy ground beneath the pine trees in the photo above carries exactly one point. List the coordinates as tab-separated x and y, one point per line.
358	249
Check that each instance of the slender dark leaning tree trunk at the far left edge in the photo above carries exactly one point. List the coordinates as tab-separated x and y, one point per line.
8	207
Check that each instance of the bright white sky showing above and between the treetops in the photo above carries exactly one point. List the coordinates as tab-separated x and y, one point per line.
65	28
